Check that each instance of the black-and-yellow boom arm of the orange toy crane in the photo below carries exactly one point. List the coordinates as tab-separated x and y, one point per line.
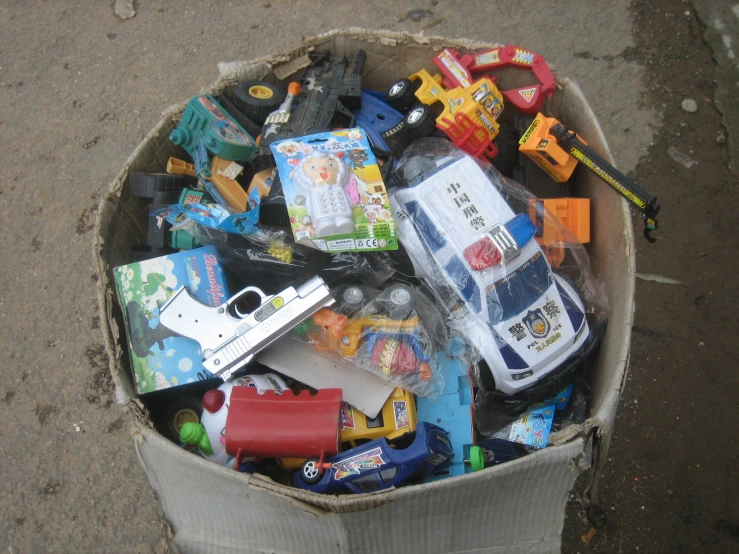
613	177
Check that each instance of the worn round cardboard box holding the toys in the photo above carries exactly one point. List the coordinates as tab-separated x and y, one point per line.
514	507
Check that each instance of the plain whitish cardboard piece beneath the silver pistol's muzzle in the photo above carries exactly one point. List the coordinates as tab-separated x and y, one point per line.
361	389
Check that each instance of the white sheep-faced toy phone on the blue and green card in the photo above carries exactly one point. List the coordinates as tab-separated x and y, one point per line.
330	191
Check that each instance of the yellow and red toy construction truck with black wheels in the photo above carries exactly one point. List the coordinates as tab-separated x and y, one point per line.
464	110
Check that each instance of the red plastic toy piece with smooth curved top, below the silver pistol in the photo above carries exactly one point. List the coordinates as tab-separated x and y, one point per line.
285	425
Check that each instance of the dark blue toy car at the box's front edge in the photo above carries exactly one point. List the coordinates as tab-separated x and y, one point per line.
379	464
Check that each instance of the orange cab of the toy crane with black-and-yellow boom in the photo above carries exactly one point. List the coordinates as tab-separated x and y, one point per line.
542	147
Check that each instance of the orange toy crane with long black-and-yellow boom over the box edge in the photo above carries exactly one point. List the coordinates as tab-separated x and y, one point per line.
557	149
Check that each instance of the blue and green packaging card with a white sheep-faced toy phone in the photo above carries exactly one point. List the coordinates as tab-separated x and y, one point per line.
334	192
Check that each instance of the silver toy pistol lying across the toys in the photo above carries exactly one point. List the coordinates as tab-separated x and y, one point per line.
231	334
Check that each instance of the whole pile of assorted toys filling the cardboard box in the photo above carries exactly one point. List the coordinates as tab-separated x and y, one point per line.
407	308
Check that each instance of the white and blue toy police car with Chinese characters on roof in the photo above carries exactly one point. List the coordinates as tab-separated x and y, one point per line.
462	236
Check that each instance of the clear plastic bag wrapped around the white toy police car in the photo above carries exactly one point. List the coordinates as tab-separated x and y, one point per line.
534	313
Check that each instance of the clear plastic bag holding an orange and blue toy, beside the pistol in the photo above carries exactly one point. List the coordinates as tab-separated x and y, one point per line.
395	333
